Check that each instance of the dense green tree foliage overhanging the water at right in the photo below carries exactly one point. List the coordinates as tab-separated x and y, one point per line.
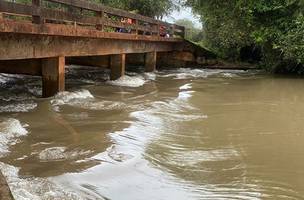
272	28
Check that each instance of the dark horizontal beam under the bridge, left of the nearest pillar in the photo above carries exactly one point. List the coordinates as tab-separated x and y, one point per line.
27	67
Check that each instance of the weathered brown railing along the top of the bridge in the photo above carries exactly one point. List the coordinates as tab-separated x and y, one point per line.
90	15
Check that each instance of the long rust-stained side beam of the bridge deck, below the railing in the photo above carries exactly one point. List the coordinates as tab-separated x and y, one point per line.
26	46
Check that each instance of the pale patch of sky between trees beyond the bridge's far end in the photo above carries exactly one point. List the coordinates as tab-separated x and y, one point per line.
182	14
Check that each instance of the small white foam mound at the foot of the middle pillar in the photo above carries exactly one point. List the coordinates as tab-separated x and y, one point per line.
129	81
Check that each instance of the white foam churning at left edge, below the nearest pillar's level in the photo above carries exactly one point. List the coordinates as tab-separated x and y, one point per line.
10	130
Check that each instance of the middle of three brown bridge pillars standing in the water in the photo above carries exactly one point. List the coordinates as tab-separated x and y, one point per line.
118	65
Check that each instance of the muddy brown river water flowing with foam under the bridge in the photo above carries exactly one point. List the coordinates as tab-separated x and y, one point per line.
176	134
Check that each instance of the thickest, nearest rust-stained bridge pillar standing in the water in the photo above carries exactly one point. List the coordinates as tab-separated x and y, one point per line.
53	79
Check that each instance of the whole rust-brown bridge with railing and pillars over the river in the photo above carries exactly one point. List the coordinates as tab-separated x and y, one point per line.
40	36
